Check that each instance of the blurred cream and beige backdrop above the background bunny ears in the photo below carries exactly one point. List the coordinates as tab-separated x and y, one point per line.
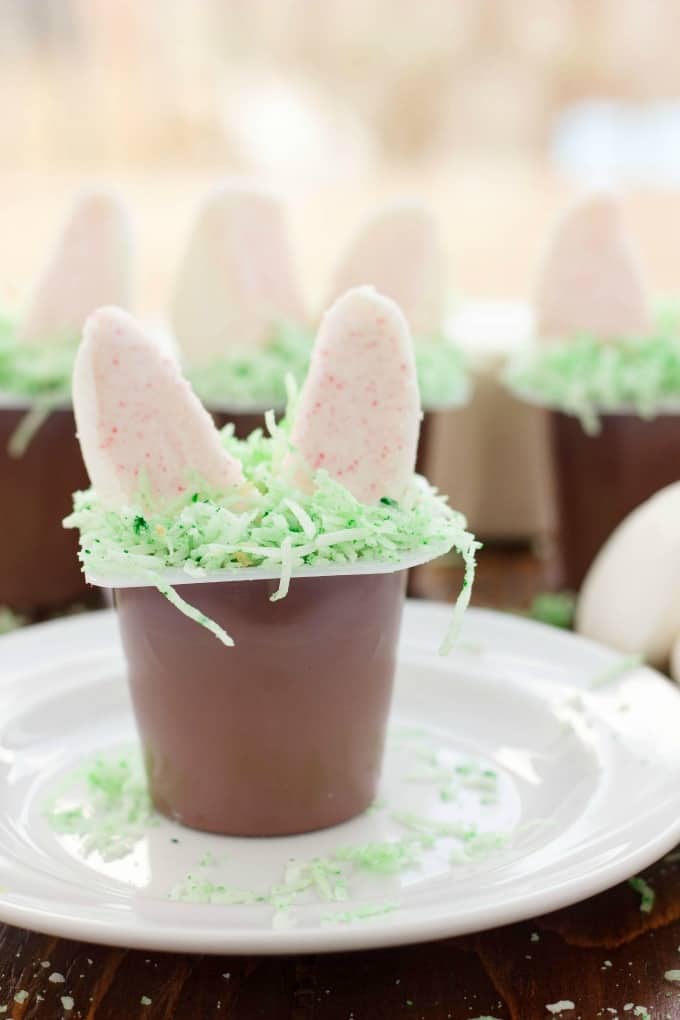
495	113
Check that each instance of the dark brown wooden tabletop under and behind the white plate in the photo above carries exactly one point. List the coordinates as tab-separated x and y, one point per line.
604	954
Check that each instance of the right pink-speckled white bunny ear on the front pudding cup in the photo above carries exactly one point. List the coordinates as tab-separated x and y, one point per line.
359	412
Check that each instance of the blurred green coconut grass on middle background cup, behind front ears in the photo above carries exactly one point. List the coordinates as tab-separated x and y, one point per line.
256	377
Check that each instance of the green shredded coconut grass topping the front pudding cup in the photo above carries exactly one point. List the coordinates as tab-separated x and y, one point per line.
277	526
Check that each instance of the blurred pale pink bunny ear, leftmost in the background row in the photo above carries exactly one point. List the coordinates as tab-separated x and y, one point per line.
90	267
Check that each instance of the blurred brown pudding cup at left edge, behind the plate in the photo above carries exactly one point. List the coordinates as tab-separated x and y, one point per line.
40	572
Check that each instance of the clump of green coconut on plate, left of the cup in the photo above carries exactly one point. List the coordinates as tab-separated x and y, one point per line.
117	811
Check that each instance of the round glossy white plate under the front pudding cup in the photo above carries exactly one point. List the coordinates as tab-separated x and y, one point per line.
585	780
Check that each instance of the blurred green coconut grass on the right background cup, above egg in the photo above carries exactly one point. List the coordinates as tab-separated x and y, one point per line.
587	377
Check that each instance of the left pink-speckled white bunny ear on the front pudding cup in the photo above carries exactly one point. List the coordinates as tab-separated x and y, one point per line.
142	429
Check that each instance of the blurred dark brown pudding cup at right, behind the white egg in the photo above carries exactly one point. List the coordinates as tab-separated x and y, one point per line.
601	479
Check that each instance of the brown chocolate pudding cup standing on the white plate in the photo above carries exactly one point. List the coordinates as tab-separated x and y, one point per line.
285	732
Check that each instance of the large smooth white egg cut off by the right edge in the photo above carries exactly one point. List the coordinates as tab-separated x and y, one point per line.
631	598
